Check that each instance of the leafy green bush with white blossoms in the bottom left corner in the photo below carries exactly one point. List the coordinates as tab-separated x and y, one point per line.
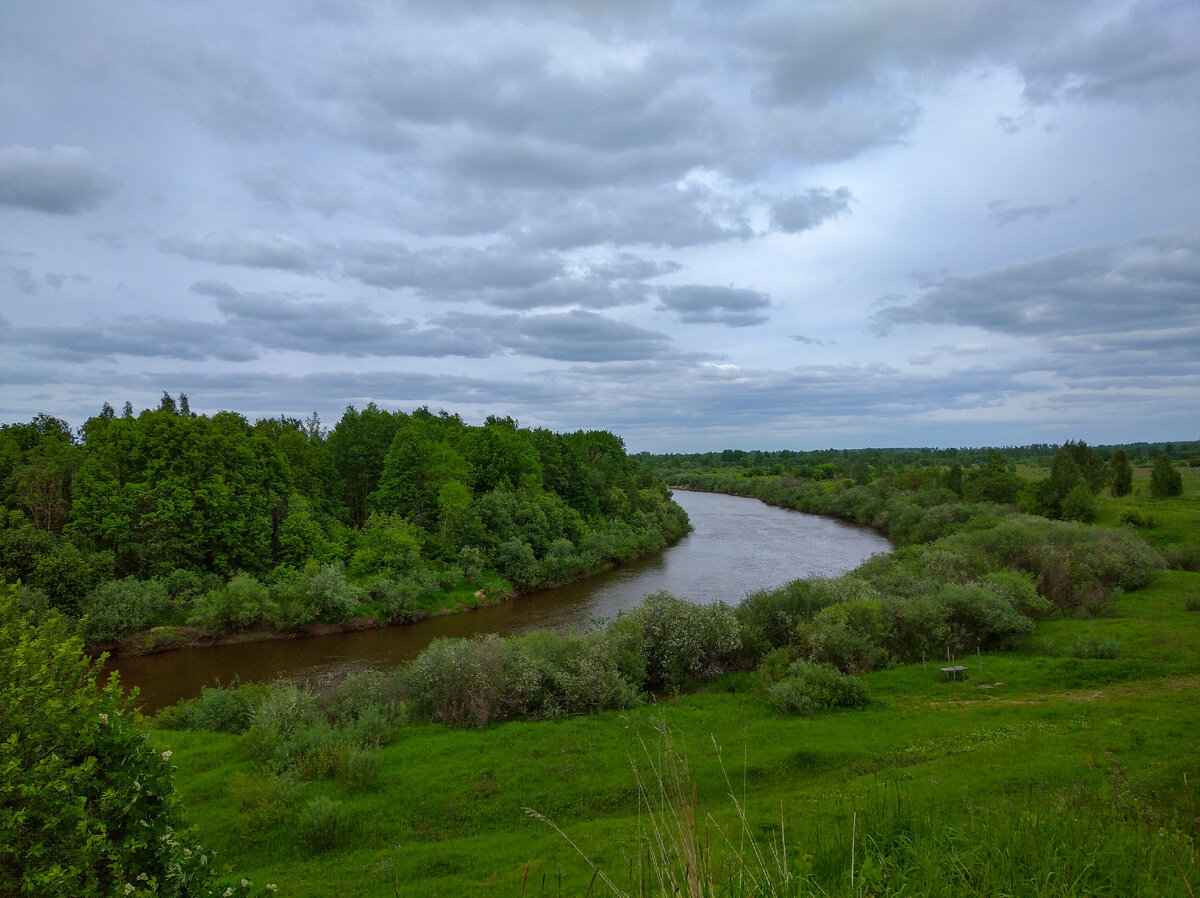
87	805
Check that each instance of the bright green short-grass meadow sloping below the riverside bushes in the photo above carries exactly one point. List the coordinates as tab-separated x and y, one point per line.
937	773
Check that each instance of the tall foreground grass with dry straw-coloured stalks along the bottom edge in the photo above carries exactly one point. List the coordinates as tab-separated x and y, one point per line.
1085	840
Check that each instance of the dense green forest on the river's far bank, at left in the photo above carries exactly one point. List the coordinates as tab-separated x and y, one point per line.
172	518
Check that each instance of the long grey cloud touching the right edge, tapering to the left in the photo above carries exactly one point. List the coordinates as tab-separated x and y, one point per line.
1144	284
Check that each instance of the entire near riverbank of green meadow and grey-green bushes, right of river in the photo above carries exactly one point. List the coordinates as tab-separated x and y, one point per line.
799	741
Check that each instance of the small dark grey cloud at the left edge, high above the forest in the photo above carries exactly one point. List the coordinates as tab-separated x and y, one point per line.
63	181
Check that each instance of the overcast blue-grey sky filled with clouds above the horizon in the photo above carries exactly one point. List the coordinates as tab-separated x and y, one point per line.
698	225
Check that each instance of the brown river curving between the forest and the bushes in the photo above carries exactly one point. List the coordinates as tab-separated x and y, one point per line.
737	547
